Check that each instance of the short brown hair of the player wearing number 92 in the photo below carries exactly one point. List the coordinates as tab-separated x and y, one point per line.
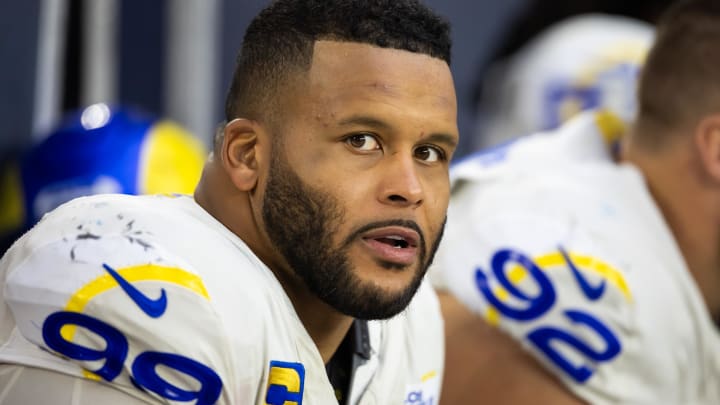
680	82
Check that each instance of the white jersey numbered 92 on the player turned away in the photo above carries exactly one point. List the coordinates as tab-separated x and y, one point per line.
566	251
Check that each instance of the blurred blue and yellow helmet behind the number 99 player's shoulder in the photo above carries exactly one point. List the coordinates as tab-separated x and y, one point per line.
96	150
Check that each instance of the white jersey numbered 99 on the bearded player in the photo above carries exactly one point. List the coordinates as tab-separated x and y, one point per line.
155	296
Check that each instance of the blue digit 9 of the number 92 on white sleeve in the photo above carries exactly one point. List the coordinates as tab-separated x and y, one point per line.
537	305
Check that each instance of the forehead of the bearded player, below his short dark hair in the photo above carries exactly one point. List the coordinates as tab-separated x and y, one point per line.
351	77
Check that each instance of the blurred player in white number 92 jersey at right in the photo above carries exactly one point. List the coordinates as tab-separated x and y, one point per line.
571	278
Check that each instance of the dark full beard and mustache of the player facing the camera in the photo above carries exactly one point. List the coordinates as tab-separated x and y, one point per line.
301	221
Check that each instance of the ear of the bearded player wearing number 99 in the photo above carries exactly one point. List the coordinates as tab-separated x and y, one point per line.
240	152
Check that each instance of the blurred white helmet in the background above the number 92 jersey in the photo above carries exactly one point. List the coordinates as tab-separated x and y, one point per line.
584	62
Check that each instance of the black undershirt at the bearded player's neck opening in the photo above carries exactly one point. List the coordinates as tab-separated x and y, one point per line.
340	368
